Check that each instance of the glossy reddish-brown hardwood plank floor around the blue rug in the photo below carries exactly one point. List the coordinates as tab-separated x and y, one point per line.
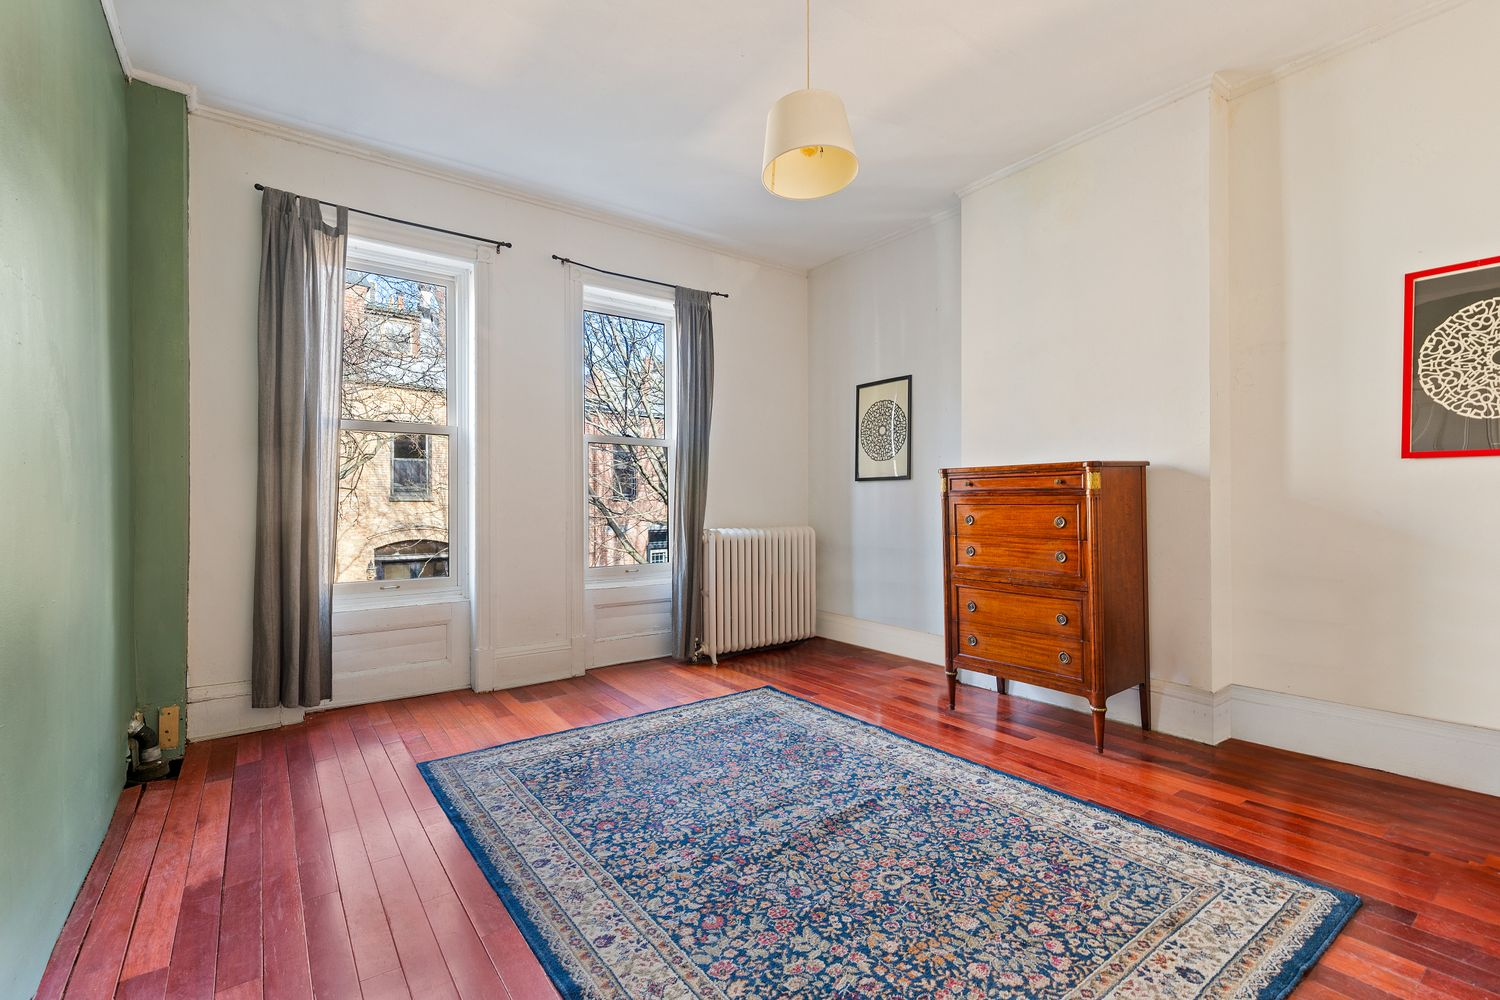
313	860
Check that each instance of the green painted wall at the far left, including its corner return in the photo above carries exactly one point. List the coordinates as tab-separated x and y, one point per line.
94	379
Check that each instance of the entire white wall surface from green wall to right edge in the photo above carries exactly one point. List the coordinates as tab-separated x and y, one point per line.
1214	287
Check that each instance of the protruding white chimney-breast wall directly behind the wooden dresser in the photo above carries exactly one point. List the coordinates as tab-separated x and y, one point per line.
1087	337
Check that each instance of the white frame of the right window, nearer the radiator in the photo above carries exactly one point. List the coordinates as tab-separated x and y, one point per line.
631	301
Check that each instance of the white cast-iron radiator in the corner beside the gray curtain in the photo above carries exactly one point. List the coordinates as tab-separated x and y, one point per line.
758	588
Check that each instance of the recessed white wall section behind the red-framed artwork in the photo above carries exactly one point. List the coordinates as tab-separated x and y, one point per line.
1361	578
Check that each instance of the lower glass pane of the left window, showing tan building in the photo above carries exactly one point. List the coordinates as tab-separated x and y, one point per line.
394	507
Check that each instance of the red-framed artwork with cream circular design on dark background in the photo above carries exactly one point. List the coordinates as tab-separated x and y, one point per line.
1451	388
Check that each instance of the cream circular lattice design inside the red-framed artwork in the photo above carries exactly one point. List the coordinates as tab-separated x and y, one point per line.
1459	365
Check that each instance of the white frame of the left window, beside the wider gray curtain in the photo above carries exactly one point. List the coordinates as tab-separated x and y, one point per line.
457	275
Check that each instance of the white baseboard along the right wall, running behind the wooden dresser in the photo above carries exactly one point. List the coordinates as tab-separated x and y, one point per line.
1447	753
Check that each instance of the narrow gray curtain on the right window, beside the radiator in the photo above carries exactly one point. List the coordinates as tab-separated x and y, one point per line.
695	410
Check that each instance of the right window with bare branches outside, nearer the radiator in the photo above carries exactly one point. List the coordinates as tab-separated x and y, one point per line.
626	431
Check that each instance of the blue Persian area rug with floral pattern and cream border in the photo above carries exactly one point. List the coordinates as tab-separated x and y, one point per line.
760	846
